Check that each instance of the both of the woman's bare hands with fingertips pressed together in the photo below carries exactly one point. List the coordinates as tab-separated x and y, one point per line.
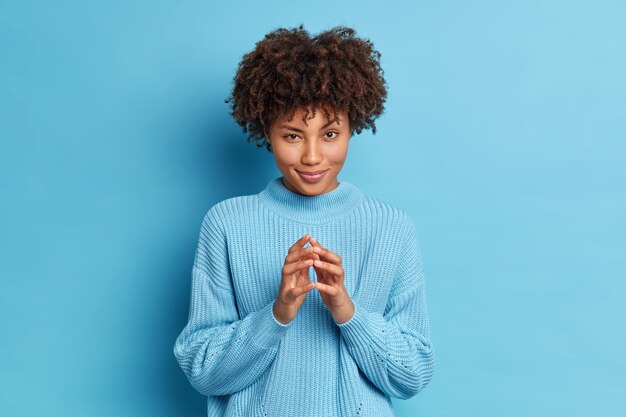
295	282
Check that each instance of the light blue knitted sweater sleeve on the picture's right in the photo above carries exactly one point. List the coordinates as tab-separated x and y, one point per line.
394	349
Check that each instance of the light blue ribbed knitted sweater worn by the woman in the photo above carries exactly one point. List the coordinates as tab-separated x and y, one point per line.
247	363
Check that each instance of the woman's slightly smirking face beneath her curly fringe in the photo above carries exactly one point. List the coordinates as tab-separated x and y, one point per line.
310	155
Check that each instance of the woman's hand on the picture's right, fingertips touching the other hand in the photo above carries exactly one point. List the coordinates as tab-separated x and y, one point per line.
330	277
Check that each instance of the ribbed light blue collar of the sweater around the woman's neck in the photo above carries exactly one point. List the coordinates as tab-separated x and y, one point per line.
310	209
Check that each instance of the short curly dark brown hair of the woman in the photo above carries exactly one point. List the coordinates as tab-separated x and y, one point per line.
290	70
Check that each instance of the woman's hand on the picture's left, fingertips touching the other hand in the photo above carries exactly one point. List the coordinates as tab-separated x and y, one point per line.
294	283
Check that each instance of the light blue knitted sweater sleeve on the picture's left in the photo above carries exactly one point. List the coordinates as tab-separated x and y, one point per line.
219	352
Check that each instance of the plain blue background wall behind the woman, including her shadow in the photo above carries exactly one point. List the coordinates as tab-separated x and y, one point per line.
503	137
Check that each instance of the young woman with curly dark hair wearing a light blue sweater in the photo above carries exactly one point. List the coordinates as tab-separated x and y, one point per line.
308	298
